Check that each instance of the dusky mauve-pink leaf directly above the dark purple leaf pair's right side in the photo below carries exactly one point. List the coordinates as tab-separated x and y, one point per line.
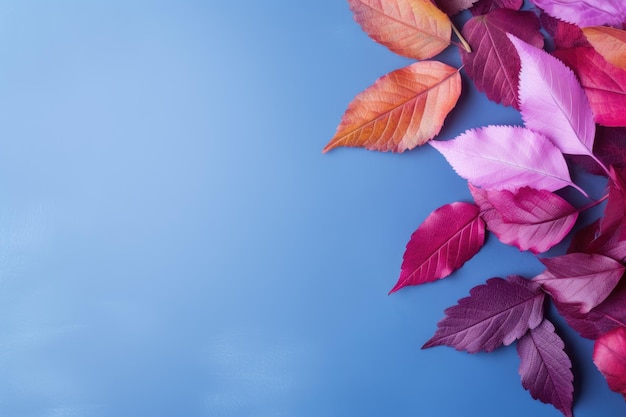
580	278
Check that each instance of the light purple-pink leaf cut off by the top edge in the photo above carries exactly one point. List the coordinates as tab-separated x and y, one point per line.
587	12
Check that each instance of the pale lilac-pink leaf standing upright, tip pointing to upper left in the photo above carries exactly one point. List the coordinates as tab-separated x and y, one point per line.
552	101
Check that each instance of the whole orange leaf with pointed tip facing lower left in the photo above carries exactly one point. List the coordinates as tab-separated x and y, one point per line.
402	110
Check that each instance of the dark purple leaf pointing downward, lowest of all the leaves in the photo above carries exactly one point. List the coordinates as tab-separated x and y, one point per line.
545	368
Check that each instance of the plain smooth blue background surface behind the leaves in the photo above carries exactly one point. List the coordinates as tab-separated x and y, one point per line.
173	241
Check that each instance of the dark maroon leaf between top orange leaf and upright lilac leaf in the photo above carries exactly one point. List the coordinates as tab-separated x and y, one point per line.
493	64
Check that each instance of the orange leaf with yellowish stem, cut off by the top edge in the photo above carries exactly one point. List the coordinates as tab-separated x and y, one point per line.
412	28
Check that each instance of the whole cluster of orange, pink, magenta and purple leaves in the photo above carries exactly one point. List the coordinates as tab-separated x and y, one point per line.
573	104
